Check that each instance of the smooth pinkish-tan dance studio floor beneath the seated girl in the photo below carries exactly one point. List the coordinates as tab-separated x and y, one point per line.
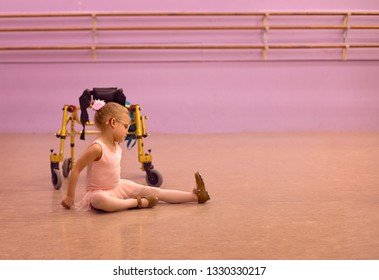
274	196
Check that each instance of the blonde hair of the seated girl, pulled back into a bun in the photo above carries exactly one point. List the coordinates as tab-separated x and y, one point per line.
108	111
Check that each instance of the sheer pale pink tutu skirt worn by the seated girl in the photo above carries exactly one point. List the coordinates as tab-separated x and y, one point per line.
124	189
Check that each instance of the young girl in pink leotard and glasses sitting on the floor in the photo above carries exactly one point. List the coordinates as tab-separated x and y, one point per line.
105	190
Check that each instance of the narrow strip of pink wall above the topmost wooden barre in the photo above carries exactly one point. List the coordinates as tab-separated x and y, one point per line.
183	5
